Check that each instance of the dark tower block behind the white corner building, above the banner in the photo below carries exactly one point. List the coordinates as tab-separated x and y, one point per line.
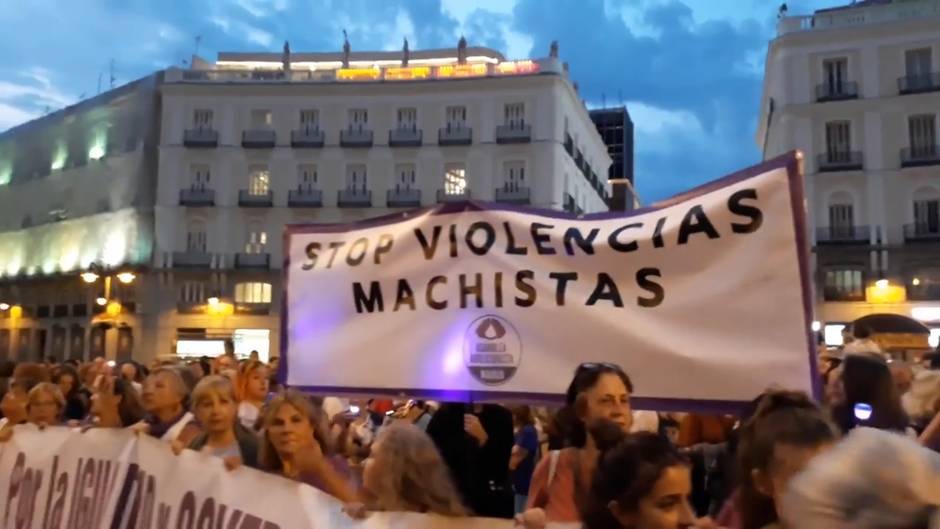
616	129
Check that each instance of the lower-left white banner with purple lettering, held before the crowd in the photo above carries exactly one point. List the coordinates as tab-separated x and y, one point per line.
61	478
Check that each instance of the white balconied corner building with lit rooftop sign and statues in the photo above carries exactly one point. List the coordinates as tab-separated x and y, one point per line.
254	142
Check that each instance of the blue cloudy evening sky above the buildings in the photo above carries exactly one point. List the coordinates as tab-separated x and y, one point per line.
689	71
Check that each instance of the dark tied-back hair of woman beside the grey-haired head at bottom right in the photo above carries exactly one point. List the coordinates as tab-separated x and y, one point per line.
781	418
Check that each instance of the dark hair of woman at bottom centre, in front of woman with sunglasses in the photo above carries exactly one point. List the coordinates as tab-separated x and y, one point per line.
626	472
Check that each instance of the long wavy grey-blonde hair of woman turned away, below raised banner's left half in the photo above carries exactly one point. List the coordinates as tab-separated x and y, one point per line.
406	473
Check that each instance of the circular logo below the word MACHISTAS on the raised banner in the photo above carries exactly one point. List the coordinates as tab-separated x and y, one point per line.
492	350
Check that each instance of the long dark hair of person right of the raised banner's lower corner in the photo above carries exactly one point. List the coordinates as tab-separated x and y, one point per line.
868	380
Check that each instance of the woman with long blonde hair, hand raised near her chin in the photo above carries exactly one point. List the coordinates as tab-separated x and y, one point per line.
296	445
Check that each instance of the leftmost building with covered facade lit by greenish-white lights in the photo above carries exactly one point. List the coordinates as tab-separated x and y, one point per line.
77	190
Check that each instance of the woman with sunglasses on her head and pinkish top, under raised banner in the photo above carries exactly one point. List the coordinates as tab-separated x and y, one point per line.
597	392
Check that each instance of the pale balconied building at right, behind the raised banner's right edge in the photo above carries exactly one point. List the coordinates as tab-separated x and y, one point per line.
857	90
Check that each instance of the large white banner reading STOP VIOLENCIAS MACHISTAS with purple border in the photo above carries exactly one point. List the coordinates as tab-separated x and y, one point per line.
705	299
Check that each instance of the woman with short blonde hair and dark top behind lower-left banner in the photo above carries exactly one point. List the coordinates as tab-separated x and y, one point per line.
223	436
